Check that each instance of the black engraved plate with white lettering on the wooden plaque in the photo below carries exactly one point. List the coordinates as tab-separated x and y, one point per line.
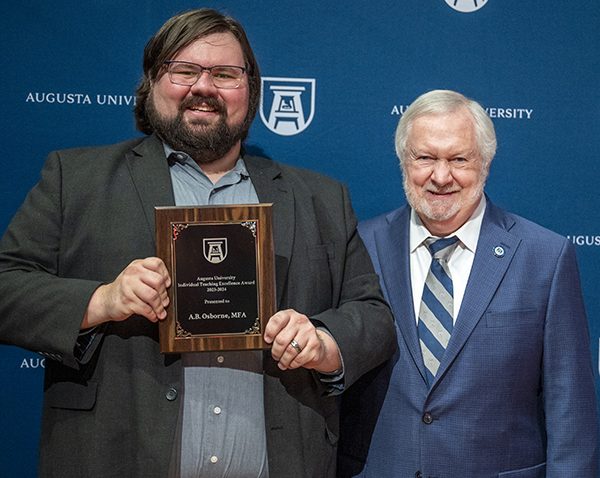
216	292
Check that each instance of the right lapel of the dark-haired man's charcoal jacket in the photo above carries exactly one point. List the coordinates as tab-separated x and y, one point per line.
271	187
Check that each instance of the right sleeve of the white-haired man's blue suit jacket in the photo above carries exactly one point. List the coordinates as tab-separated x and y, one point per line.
568	378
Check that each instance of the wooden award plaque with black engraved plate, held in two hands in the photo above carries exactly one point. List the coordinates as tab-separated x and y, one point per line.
221	263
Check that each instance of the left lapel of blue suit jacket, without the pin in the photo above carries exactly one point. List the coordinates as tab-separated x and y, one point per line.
393	251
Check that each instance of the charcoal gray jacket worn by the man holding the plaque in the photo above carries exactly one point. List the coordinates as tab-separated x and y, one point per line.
113	412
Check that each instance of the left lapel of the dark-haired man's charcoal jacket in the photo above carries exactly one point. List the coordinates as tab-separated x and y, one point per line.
150	175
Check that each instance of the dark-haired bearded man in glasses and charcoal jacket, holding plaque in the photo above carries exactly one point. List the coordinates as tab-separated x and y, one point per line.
80	283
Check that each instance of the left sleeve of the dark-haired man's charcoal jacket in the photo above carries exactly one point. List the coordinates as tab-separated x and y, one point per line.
40	310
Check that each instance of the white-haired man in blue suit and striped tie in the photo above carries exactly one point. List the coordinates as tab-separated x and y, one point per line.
493	373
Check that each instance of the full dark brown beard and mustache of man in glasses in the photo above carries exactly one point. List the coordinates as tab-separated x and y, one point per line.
204	146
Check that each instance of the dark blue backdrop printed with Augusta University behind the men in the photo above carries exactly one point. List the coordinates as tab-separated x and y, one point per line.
340	75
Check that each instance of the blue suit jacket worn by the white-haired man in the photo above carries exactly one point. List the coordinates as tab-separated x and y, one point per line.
514	395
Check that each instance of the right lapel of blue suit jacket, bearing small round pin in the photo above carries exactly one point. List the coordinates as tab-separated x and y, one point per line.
495	250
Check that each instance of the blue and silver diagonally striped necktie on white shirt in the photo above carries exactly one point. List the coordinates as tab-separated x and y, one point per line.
437	305
